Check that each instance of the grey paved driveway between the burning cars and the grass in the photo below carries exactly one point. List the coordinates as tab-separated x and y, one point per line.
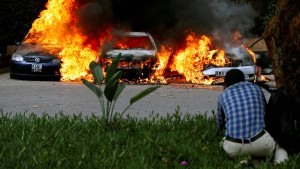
18	96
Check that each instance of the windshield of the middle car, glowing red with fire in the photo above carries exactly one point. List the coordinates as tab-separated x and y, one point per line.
133	42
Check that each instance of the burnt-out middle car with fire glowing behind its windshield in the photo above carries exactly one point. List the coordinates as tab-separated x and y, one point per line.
138	54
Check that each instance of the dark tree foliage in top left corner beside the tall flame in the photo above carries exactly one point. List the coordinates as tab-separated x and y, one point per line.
16	17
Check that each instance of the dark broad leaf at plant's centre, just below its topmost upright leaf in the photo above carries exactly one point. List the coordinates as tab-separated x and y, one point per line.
112	85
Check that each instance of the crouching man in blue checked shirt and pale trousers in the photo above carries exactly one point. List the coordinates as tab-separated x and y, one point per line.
241	110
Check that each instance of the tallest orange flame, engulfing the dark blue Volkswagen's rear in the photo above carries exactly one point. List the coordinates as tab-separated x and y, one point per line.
57	26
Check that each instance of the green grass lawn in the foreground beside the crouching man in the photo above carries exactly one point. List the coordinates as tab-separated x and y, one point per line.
29	141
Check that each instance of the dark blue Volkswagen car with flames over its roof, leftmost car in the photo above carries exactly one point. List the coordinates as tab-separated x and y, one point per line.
35	61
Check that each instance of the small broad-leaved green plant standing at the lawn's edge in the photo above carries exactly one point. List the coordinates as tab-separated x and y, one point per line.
112	89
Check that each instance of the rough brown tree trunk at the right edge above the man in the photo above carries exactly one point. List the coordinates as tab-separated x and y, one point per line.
282	37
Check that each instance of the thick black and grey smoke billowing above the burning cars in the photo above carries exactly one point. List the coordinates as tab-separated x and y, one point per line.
168	20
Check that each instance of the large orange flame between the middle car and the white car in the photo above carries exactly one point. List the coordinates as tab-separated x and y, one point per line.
190	60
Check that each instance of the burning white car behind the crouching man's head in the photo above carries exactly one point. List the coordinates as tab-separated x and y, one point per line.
239	58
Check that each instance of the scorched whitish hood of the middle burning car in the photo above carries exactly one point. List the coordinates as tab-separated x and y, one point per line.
138	54
